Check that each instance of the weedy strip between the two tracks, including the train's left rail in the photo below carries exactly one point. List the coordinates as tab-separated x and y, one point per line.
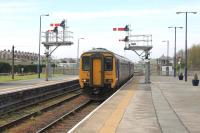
19	115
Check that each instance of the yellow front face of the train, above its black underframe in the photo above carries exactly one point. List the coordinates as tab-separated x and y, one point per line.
99	74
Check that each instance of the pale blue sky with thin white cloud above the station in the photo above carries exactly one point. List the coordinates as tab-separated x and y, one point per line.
94	20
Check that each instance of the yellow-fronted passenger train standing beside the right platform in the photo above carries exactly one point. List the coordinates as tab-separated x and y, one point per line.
102	72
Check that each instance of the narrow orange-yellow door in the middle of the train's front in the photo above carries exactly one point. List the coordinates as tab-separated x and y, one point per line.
97	71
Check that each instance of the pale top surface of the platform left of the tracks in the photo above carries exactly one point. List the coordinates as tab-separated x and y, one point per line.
7	87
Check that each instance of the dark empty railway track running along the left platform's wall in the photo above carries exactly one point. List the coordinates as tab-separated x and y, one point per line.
39	96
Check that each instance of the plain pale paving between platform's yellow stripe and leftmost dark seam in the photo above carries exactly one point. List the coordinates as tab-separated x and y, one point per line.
140	116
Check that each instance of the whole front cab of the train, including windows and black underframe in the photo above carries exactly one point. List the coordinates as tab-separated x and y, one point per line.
98	74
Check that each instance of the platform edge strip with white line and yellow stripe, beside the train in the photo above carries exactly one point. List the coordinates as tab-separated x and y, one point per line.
106	118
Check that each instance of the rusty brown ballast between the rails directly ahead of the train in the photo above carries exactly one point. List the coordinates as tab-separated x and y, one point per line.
46	118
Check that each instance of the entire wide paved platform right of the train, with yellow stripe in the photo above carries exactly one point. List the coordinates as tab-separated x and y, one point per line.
167	105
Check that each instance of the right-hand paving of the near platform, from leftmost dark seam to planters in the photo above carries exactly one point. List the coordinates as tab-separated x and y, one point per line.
184	101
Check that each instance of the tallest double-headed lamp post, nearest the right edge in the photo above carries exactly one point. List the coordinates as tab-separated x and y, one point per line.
186	40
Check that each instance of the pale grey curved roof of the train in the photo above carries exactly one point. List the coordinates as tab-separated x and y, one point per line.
106	51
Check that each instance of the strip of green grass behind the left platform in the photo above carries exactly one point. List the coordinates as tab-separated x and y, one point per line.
8	78
